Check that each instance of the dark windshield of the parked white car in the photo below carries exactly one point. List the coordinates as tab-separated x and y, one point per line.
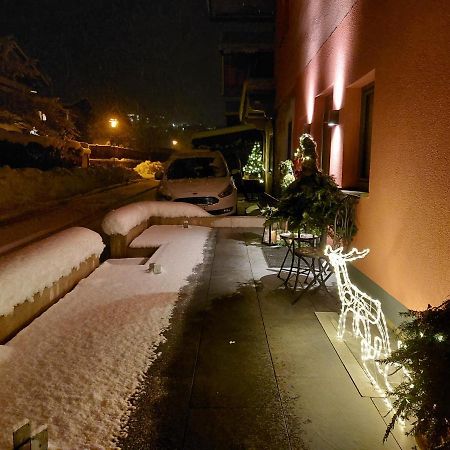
197	167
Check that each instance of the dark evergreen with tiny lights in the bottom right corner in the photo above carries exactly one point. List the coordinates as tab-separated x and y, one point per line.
424	394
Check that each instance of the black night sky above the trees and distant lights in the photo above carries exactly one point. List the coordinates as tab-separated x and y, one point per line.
156	56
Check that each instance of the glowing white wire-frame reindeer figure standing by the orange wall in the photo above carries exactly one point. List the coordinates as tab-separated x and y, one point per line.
367	312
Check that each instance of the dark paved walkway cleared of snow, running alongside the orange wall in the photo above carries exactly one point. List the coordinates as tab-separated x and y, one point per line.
243	368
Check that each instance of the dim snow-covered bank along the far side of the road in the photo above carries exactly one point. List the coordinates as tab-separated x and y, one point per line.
26	189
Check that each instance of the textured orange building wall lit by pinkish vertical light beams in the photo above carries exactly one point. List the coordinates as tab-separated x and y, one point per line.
404	46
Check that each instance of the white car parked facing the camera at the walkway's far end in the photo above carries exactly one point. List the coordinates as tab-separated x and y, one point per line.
199	177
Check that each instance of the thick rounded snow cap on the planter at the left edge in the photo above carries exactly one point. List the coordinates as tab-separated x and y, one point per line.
31	269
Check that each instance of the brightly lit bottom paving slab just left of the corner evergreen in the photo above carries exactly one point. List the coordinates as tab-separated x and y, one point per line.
326	413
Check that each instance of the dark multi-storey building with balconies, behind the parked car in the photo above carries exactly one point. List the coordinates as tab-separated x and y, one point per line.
246	50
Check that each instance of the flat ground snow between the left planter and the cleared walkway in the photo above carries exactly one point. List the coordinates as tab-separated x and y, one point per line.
78	365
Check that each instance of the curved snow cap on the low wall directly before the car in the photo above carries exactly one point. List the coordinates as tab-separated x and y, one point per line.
122	220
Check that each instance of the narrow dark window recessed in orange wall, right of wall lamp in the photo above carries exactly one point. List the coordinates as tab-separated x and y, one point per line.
367	96
